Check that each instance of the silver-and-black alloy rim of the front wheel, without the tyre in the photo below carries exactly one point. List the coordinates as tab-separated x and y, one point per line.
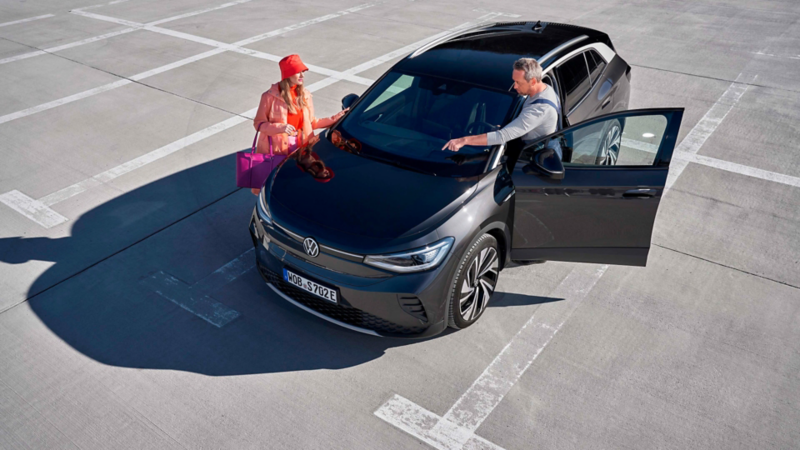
479	284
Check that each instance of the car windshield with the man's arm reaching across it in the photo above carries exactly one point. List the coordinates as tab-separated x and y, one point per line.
407	119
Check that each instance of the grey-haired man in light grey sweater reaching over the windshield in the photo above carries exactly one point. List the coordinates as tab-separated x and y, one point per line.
540	115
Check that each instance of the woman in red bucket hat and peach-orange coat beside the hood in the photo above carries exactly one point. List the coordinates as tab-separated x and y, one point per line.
286	113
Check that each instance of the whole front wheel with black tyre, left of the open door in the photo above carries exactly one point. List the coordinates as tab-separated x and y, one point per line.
474	282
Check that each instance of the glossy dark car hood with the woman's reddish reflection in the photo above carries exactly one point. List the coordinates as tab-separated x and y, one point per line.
363	197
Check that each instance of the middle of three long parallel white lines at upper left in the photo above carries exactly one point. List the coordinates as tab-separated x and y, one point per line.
150	73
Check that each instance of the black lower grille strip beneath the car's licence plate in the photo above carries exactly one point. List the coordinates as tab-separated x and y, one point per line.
342	313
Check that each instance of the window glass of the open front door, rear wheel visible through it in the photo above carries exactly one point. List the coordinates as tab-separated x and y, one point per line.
617	141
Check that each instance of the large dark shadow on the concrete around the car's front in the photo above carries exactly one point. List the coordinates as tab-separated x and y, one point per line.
93	299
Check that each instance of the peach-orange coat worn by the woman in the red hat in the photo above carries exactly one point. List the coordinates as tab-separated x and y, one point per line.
273	111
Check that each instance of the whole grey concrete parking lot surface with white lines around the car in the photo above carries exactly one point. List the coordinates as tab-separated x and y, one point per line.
122	234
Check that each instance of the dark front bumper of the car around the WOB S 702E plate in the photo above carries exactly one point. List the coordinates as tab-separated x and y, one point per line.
370	301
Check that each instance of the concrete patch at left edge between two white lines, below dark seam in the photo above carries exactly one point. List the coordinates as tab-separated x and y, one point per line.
43	79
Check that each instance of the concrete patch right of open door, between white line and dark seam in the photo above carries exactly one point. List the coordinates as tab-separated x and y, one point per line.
733	220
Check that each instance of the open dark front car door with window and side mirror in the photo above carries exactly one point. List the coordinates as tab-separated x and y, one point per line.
598	202
